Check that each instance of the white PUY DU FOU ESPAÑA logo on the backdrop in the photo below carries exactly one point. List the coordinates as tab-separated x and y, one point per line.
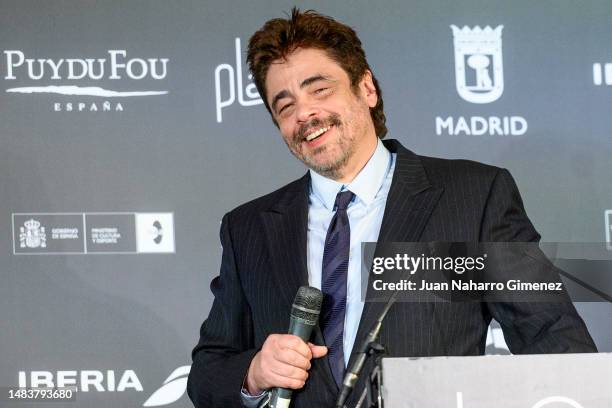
74	77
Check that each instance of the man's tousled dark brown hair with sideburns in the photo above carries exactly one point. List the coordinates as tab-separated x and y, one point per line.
280	37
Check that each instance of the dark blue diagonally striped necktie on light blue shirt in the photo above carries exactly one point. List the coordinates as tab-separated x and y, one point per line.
333	283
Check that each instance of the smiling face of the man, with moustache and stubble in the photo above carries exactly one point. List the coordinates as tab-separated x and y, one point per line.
324	121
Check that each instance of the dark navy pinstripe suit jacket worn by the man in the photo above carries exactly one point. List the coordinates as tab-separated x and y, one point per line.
264	263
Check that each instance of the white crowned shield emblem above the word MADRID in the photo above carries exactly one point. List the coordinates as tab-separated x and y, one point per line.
479	74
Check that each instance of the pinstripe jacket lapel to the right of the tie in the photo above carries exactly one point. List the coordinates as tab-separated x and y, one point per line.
410	203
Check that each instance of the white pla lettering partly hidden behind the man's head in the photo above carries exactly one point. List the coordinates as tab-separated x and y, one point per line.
234	85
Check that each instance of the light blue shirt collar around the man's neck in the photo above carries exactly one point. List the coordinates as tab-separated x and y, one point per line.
365	185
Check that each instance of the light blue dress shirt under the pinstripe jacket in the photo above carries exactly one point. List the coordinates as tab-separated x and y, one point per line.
371	188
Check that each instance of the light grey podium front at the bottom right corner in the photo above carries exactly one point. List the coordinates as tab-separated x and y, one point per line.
516	381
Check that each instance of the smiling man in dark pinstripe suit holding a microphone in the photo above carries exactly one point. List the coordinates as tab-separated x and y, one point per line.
314	79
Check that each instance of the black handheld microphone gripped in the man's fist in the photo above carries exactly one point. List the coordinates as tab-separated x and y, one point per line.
304	317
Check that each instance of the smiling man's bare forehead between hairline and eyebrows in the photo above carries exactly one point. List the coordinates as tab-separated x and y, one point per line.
301	64
